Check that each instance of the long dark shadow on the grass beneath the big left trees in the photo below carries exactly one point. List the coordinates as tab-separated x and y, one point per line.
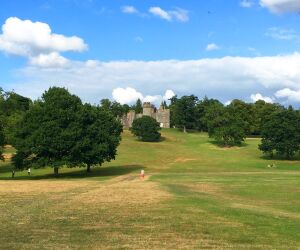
110	171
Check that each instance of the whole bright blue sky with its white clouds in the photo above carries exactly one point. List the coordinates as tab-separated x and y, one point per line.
152	50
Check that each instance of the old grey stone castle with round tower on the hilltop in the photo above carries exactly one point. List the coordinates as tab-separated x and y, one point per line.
161	115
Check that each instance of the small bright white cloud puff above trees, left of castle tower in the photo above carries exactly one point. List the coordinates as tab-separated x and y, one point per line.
126	95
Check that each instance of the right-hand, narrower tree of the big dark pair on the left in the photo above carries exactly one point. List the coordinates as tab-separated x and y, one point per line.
99	137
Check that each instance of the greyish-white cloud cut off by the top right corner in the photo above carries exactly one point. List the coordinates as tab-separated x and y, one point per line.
281	6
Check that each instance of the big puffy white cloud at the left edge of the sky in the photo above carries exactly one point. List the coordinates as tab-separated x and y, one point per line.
27	38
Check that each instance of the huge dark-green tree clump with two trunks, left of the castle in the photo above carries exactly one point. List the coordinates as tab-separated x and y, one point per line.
59	131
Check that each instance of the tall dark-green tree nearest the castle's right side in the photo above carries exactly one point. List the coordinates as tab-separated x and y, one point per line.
183	112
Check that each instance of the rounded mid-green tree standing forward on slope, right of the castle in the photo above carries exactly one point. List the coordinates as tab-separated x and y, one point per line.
226	125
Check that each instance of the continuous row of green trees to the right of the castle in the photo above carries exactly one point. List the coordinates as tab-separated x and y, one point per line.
278	126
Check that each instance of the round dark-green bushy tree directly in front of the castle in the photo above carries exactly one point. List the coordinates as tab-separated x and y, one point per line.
146	129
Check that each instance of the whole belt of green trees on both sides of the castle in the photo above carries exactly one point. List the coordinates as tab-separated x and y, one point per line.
59	130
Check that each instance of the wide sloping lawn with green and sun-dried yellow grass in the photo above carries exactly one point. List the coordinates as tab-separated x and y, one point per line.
196	195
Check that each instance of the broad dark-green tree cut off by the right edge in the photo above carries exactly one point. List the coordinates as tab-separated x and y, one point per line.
281	134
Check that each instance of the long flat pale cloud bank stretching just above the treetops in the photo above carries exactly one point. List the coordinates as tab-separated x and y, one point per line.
224	78
